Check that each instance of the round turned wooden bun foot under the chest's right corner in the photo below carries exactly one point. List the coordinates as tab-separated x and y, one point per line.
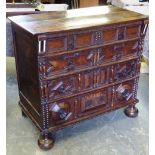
131	111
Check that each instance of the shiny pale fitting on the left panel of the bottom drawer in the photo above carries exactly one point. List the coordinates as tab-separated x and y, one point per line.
62	113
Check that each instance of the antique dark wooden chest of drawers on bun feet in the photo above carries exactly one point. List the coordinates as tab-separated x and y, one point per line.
77	64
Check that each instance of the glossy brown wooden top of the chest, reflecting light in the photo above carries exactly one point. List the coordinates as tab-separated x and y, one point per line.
75	19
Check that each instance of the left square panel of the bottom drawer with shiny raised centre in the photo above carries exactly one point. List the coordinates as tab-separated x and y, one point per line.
61	111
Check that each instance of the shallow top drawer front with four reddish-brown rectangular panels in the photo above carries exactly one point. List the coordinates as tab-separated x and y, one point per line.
85	38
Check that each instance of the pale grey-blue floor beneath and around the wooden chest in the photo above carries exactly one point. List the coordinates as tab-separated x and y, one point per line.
109	134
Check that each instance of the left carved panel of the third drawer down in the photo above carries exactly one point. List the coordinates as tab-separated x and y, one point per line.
62	87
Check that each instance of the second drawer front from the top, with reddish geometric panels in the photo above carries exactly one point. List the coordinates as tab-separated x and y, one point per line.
72	61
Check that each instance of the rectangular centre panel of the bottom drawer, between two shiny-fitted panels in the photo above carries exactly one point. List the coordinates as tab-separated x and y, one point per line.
93	102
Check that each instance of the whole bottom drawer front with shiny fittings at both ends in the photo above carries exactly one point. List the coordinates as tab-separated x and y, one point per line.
94	102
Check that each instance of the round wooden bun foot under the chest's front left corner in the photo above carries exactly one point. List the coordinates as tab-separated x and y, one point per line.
45	142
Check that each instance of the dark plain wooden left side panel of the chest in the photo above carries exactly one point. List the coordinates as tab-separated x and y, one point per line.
27	74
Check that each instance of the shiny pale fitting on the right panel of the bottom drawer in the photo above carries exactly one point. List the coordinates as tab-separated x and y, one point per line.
124	92
